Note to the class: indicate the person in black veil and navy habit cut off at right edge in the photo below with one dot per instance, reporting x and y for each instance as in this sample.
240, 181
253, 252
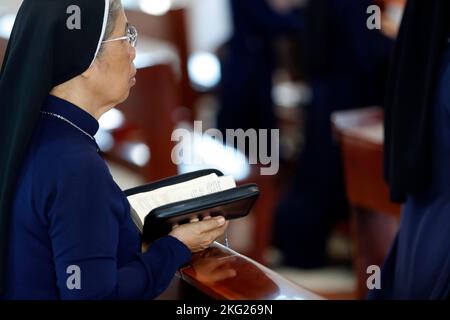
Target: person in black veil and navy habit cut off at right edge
417, 154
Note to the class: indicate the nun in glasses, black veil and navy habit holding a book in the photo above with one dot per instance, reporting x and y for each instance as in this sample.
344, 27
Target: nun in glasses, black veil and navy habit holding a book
59, 206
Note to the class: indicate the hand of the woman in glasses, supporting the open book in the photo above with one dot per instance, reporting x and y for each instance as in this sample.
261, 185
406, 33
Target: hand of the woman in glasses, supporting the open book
198, 235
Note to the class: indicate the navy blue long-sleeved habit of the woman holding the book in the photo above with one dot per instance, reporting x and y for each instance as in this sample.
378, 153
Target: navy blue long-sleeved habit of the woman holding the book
69, 213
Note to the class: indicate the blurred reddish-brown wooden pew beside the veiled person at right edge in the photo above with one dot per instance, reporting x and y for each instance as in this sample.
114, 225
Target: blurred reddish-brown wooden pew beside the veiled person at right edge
375, 220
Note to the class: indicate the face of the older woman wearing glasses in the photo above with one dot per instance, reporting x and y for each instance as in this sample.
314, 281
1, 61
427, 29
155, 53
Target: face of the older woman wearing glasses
115, 70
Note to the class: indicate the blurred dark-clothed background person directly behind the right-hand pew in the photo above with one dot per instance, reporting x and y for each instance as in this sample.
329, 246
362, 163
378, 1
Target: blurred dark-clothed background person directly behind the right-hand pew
346, 66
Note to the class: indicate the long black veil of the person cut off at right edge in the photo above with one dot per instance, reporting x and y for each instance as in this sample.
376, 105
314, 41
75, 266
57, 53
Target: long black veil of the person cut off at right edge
410, 96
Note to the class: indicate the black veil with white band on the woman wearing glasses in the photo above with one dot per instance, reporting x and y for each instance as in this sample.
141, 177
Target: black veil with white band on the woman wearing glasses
52, 42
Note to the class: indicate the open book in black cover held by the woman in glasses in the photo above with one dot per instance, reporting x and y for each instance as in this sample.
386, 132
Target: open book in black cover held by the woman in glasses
157, 206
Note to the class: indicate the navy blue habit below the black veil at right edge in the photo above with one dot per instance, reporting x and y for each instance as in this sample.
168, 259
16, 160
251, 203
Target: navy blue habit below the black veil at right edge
418, 266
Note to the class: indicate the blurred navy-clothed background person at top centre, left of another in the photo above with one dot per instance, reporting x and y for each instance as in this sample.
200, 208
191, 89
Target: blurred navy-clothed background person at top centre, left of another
248, 62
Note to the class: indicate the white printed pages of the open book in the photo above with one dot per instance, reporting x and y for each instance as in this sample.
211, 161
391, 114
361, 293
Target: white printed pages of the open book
145, 202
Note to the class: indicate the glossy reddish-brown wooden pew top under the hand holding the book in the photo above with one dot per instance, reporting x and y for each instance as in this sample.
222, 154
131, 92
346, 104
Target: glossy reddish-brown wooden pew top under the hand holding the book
221, 273
